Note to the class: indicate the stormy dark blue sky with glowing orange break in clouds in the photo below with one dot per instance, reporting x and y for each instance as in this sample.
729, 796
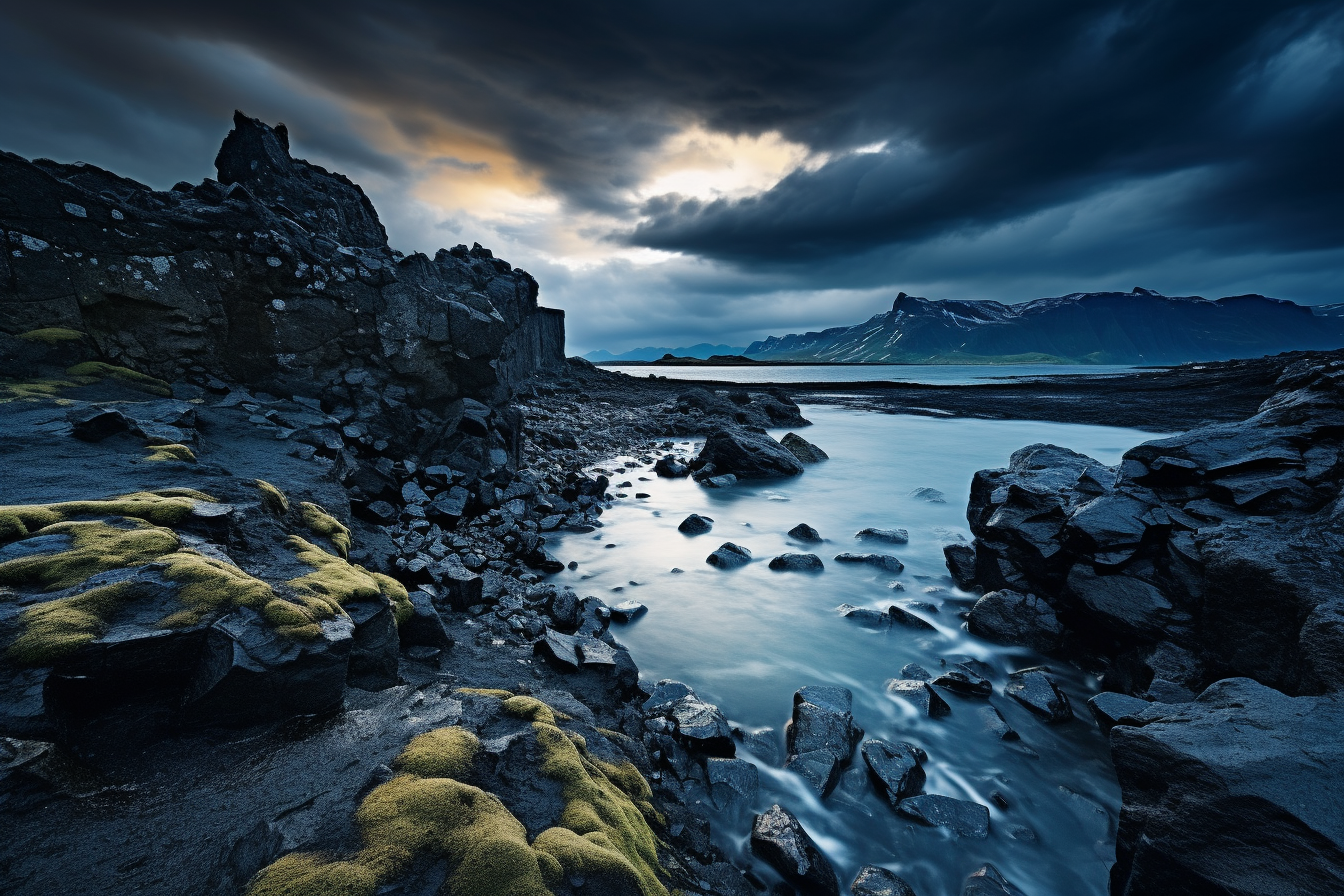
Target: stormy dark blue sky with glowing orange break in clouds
687, 173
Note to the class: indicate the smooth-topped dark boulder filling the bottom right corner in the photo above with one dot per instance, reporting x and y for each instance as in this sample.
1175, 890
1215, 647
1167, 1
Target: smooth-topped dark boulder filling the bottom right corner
1234, 793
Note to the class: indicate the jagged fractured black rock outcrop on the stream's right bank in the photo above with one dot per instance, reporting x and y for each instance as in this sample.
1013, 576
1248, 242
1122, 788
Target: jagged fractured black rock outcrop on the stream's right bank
1217, 553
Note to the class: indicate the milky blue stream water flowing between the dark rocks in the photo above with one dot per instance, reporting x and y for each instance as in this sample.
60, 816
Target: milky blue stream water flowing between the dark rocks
748, 639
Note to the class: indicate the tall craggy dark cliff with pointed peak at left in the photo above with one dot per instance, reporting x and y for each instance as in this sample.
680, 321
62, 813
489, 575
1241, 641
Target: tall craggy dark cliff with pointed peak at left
279, 275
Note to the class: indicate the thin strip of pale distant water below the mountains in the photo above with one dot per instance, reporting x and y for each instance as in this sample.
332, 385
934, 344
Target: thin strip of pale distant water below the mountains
923, 374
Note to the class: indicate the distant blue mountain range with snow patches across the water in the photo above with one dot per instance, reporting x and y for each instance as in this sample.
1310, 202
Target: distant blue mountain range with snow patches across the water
1142, 327
